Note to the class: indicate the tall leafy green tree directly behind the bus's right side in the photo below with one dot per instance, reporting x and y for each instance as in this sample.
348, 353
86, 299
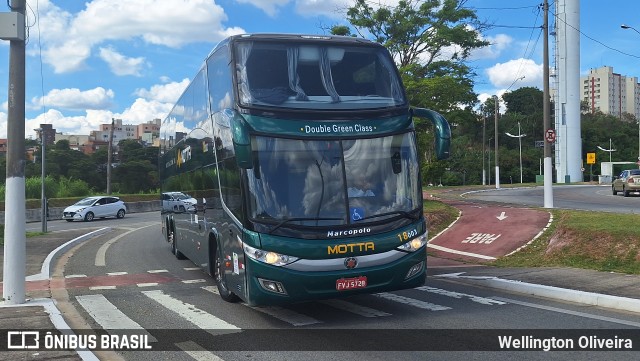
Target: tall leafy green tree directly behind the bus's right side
431, 41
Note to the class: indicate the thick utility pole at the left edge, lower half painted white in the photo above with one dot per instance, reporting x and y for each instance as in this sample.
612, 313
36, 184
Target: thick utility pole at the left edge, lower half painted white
15, 250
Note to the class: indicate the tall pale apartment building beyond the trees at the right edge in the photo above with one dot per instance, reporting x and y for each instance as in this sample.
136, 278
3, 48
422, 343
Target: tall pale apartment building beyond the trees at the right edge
611, 93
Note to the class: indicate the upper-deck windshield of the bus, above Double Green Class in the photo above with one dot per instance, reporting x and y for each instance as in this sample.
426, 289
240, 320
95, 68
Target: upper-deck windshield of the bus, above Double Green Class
313, 76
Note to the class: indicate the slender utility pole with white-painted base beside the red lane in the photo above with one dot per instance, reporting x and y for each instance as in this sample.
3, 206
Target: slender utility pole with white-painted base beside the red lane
548, 169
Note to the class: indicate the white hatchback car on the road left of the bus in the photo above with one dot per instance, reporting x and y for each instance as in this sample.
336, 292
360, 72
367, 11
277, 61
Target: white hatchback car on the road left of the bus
95, 207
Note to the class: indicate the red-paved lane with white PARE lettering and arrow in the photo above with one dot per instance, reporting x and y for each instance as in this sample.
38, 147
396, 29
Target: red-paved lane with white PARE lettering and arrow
485, 232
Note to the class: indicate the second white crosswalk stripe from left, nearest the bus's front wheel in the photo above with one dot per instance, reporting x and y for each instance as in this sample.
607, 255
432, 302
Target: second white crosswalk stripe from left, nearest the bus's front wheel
191, 313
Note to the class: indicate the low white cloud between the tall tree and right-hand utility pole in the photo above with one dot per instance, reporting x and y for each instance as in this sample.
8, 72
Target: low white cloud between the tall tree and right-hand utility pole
503, 75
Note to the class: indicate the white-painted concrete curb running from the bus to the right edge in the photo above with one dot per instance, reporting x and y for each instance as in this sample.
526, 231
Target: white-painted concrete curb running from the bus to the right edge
557, 293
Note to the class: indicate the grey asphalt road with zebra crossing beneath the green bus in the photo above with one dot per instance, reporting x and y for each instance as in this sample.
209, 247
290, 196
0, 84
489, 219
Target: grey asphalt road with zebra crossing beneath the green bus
128, 279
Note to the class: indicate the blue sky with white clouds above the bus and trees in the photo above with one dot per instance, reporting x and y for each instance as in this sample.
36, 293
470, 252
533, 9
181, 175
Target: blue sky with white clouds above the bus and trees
90, 61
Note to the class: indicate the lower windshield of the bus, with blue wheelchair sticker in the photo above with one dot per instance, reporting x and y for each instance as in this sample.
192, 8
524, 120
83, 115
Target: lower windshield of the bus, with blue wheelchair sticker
333, 182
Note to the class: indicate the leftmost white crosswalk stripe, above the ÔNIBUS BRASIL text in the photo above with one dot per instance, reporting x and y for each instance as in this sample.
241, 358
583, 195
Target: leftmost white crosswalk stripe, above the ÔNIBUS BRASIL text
108, 316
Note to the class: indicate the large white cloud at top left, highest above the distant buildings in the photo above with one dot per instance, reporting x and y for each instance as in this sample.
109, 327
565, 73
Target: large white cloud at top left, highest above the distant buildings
70, 38
